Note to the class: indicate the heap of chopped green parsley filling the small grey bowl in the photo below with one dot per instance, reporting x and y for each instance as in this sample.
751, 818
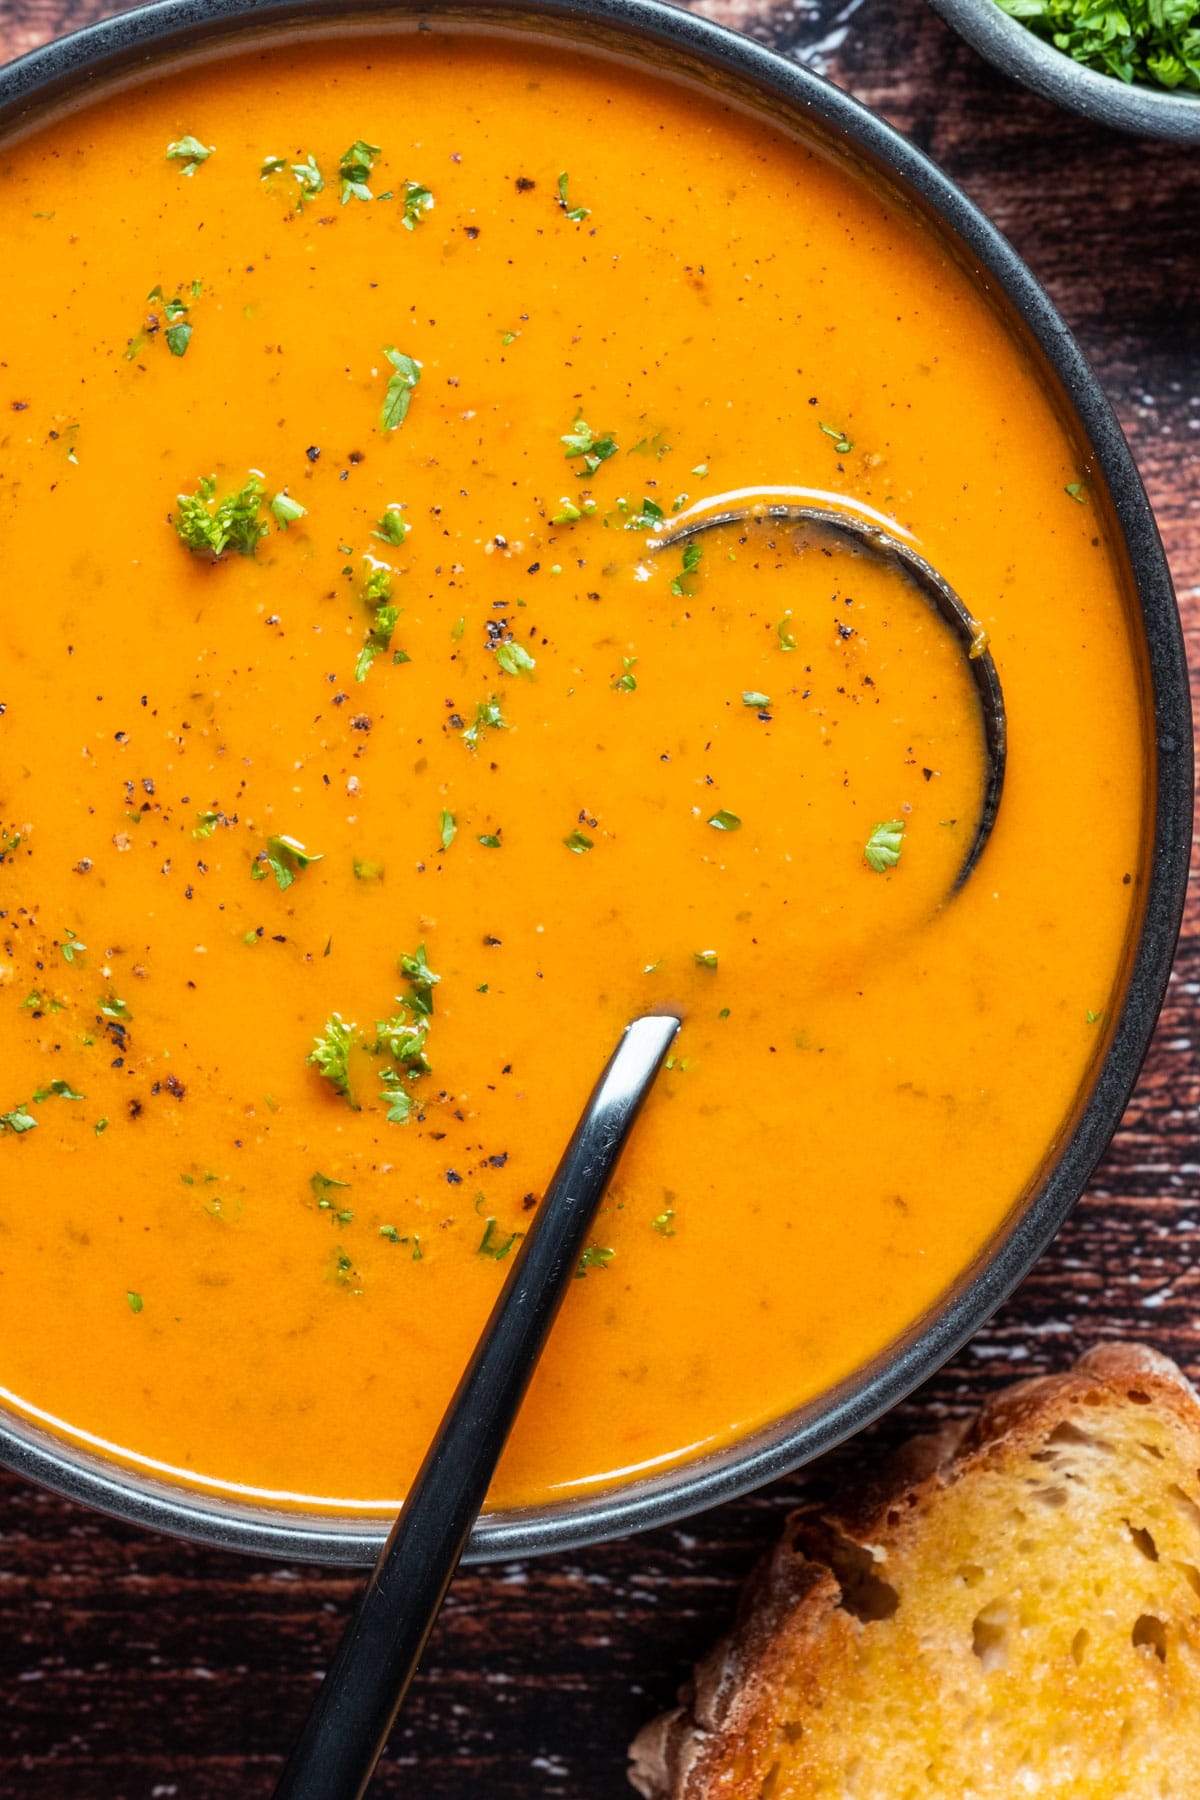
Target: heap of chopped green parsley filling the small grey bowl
1134, 40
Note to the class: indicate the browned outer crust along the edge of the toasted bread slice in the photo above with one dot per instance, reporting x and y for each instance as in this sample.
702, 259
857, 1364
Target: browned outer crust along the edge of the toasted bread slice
793, 1610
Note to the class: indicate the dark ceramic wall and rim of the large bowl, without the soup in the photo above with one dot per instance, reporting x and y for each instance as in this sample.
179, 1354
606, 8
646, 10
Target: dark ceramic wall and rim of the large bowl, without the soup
118, 53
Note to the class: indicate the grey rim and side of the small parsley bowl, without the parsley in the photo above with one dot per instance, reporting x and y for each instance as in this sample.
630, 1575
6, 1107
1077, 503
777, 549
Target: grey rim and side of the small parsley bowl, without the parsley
1034, 62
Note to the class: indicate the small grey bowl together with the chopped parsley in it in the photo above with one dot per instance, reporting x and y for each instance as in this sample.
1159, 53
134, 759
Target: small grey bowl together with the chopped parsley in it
1129, 64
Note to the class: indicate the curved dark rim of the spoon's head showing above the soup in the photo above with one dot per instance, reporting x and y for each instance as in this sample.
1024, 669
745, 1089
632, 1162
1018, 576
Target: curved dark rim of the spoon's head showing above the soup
882, 539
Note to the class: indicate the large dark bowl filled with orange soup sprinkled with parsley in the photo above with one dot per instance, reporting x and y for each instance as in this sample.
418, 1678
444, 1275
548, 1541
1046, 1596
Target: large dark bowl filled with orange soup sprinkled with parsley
366, 766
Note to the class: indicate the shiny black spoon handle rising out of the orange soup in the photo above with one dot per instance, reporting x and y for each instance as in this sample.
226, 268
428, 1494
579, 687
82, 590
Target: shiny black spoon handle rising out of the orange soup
370, 1677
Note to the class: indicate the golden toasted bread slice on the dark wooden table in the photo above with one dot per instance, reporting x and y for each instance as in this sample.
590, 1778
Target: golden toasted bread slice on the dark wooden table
1016, 1614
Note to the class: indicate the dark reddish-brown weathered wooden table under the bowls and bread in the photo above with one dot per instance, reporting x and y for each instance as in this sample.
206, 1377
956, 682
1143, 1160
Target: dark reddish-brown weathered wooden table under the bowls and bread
138, 1668
